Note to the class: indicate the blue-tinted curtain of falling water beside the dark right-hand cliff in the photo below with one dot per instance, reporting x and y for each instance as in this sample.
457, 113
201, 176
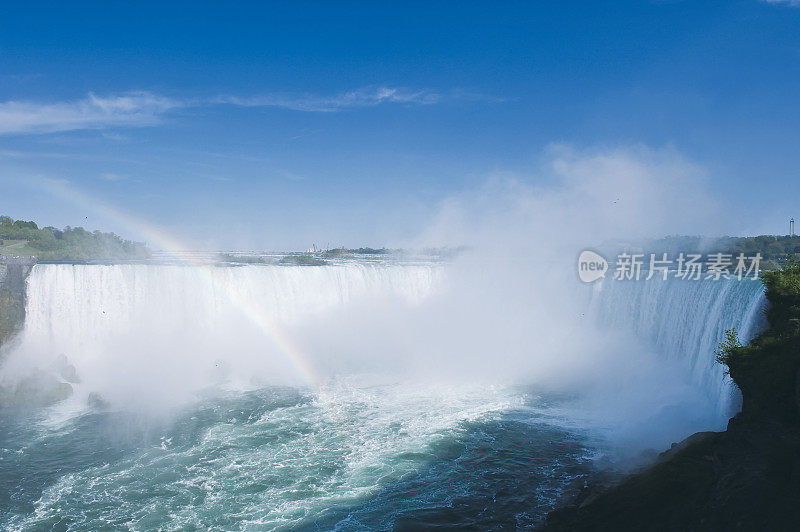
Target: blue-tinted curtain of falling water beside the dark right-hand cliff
686, 321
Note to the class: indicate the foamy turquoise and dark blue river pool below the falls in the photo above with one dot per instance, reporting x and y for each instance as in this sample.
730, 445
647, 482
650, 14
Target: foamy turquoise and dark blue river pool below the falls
278, 458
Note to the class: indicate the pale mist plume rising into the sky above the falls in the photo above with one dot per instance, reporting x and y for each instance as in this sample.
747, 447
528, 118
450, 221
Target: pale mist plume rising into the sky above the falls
580, 198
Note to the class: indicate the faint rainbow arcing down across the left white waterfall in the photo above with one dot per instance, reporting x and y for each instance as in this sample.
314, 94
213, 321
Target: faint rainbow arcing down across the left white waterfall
249, 308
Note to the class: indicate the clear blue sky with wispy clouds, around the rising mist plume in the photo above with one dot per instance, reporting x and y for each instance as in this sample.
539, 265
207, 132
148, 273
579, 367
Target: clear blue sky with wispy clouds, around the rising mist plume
277, 125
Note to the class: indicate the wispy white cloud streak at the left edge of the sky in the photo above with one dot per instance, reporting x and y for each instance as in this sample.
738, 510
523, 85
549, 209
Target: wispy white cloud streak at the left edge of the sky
92, 112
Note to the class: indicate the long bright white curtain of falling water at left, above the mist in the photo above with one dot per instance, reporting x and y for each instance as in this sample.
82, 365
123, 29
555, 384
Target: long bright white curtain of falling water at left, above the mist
69, 304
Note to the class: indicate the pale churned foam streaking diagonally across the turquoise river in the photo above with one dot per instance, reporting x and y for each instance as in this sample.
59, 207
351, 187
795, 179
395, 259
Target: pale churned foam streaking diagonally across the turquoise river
272, 472
